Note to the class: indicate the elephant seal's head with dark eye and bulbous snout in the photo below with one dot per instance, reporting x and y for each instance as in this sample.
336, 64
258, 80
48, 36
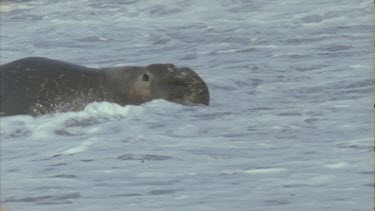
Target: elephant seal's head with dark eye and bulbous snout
162, 81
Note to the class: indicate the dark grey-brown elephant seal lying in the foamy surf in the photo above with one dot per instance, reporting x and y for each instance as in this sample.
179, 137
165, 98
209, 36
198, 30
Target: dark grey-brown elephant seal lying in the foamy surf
37, 85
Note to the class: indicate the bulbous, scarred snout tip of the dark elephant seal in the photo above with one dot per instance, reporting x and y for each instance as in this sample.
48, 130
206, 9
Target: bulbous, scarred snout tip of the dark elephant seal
197, 89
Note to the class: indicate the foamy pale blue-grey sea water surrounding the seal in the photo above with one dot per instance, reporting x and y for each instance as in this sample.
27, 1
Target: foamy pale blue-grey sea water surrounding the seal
290, 125
